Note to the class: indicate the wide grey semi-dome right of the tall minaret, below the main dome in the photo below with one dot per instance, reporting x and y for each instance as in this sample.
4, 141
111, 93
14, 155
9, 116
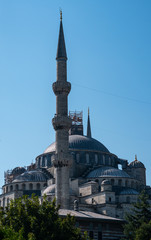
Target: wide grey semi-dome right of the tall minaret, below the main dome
107, 172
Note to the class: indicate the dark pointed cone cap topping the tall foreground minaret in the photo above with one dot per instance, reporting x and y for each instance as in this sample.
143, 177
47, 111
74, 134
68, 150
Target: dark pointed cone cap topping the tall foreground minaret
61, 50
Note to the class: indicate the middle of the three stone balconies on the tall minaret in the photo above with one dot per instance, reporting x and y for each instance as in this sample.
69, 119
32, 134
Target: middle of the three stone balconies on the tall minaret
61, 122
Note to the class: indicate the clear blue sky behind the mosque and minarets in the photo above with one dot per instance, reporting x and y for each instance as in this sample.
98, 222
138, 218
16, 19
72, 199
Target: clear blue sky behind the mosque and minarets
109, 66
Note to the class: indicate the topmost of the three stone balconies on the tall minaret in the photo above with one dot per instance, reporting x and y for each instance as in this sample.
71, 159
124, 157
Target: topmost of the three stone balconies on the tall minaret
60, 87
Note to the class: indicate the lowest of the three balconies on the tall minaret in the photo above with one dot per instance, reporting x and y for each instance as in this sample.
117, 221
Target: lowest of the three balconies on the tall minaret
61, 159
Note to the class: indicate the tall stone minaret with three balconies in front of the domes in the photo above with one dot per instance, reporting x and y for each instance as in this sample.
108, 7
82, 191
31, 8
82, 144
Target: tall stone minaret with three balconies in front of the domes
62, 123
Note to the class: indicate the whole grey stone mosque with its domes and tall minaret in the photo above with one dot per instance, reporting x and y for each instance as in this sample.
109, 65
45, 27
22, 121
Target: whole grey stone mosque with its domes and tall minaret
78, 170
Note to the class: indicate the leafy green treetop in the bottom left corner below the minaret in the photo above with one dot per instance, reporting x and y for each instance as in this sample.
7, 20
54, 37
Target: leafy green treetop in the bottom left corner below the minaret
27, 219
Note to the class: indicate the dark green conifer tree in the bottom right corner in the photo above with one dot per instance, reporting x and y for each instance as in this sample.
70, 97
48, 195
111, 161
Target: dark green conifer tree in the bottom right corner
139, 219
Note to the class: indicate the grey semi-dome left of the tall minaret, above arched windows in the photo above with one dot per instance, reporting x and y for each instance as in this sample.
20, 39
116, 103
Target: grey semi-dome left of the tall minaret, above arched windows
31, 176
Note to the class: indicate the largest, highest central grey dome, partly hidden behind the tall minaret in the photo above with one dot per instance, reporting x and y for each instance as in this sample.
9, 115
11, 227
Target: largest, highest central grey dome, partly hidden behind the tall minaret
79, 142
